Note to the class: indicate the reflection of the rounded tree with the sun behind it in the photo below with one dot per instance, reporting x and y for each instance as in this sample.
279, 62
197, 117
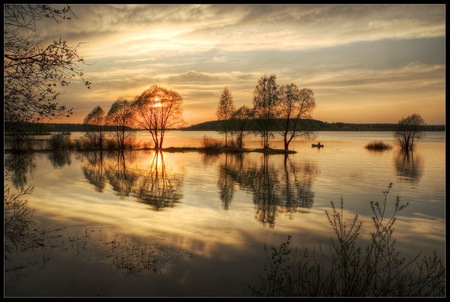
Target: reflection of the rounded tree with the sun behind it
158, 188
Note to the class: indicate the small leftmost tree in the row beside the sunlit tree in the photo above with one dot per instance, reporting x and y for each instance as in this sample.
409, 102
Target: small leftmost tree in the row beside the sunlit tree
93, 124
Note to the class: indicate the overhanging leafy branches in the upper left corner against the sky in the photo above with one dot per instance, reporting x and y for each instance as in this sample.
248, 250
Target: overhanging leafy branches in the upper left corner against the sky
33, 72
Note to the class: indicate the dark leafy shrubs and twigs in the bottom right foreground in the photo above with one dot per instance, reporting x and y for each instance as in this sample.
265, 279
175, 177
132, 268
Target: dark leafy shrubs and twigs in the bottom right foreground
350, 271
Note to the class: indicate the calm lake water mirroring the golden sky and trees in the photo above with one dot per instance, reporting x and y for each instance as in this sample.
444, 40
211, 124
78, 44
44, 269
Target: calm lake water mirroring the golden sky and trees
190, 224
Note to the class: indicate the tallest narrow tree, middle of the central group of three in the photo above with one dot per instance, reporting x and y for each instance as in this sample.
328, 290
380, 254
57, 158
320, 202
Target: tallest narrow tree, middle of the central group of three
265, 102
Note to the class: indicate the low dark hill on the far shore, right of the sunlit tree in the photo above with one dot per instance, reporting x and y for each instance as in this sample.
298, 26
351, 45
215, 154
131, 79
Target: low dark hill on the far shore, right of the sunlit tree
316, 125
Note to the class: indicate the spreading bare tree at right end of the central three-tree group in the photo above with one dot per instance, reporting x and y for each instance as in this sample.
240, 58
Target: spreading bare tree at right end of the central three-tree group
294, 105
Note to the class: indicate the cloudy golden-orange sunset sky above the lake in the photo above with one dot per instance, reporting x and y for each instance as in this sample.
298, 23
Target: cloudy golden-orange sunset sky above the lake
367, 63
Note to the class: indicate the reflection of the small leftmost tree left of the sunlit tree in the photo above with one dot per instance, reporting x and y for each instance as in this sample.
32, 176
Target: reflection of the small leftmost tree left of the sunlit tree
93, 171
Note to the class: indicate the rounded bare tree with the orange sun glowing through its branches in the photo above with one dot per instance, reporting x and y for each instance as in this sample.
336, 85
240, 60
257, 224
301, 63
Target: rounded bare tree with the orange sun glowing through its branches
158, 110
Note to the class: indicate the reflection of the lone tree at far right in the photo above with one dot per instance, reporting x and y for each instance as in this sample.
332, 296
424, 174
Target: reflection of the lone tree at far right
409, 165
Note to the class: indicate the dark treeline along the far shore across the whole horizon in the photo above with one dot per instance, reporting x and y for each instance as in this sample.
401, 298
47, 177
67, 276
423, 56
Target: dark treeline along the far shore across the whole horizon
305, 124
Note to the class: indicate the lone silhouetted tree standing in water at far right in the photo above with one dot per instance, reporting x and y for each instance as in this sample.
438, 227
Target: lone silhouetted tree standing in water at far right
409, 130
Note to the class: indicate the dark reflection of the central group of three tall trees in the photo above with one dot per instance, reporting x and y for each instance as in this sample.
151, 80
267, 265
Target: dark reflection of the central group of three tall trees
276, 189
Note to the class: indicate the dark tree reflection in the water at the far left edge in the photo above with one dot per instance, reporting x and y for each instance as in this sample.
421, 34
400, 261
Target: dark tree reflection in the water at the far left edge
20, 164
